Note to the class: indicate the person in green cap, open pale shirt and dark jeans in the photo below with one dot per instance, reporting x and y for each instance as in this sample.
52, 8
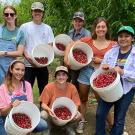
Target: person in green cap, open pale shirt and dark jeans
121, 58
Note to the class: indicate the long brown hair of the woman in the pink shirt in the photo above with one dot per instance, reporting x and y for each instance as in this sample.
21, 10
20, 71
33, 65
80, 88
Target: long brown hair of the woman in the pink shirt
8, 77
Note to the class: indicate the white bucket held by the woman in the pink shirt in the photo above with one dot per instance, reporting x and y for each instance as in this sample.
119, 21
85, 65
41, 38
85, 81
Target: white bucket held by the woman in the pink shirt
27, 108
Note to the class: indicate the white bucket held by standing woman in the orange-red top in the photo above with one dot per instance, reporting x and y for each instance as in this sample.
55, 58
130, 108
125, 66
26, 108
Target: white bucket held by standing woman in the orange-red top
75, 65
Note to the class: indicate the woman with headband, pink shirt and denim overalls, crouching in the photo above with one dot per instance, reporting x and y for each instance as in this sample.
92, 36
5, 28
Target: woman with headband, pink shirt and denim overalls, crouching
12, 91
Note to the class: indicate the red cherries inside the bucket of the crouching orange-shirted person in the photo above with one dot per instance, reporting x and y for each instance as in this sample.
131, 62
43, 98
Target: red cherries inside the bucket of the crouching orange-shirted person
62, 113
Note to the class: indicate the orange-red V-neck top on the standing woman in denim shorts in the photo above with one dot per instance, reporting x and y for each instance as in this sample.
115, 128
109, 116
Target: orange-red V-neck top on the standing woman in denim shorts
96, 52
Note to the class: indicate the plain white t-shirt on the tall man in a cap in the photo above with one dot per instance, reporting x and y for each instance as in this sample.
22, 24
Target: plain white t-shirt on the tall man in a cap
35, 34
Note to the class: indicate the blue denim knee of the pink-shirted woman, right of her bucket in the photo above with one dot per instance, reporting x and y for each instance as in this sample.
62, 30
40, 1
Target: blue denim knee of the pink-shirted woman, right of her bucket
42, 126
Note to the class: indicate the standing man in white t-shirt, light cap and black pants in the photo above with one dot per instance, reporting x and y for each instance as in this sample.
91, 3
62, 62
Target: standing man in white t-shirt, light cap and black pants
36, 32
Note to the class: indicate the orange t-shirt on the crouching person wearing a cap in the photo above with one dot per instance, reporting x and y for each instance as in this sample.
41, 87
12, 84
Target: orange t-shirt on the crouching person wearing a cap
51, 92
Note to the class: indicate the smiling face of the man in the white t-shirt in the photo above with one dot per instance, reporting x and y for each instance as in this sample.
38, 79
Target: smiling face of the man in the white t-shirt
37, 15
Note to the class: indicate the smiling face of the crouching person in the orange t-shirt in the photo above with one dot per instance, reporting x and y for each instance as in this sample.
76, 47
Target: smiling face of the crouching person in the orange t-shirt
61, 77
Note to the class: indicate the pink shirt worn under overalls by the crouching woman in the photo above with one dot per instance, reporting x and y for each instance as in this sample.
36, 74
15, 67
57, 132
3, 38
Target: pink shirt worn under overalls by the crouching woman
5, 97
